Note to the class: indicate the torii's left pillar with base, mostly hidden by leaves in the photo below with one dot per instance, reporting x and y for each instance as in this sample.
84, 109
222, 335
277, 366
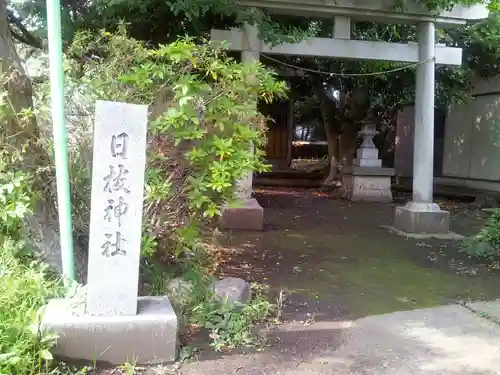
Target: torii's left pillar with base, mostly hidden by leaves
249, 215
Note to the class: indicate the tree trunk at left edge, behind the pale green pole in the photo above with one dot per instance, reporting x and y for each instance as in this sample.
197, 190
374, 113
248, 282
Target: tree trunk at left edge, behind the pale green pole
41, 229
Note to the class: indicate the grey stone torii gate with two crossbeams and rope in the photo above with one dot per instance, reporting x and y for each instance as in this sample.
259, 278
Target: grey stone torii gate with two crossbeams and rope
422, 214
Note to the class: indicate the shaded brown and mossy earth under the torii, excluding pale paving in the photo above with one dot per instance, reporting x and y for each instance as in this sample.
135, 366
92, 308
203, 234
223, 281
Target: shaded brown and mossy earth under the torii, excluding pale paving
332, 259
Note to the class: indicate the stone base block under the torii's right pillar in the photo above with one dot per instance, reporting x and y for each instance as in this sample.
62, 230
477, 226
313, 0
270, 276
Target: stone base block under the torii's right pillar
422, 218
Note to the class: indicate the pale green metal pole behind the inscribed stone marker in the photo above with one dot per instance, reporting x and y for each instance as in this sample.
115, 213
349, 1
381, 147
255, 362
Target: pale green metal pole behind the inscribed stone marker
60, 137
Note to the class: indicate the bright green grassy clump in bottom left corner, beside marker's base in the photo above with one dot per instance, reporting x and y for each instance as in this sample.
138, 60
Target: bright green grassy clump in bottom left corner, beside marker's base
24, 289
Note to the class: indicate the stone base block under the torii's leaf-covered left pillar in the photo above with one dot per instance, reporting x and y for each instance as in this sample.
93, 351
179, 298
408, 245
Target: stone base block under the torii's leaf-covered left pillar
250, 216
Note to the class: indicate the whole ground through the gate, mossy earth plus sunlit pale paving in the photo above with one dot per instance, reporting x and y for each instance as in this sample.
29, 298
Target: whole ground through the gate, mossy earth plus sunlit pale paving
333, 263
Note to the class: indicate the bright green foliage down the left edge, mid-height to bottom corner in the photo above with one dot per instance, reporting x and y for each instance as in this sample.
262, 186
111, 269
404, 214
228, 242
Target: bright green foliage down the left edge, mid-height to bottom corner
24, 283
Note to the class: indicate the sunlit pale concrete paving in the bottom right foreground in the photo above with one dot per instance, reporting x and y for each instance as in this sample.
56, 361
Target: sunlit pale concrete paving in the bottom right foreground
449, 340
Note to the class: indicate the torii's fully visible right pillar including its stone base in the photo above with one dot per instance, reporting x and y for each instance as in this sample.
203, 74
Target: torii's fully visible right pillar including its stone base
422, 215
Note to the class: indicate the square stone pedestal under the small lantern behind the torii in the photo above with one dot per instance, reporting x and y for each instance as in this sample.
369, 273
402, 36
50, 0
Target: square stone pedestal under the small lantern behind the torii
368, 184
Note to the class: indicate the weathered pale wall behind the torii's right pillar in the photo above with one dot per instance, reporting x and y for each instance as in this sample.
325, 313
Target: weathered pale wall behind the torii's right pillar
471, 155
